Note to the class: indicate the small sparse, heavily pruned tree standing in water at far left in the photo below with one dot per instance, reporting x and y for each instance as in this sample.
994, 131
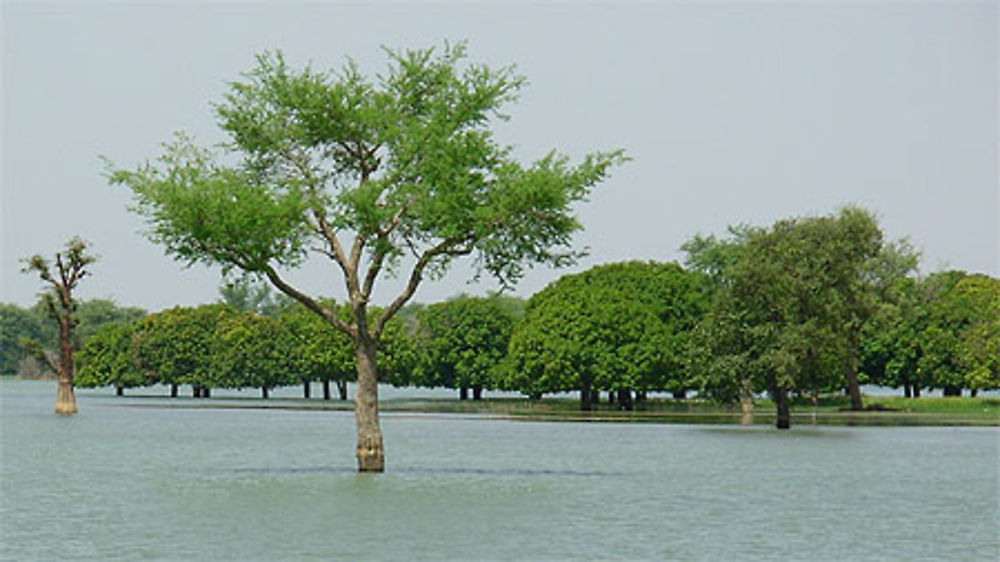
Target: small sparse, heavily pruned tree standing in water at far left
62, 277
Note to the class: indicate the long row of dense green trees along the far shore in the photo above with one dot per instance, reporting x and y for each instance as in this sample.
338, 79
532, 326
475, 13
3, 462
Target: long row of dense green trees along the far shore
807, 306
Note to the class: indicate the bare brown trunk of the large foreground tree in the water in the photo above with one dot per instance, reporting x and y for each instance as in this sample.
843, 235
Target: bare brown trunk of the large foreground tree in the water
370, 451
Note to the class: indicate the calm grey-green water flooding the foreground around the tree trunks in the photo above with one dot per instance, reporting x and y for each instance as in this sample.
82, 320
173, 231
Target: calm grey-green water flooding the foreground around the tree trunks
128, 480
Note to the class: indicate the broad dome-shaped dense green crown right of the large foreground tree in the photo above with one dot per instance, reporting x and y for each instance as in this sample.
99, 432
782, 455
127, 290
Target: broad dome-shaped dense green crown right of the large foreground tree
617, 326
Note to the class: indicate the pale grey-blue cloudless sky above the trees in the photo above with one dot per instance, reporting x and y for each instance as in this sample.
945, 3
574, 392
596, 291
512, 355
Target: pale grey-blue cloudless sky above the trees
732, 112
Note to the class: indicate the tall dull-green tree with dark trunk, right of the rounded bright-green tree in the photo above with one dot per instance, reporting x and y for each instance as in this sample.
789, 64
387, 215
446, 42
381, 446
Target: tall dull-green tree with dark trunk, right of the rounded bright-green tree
790, 303
